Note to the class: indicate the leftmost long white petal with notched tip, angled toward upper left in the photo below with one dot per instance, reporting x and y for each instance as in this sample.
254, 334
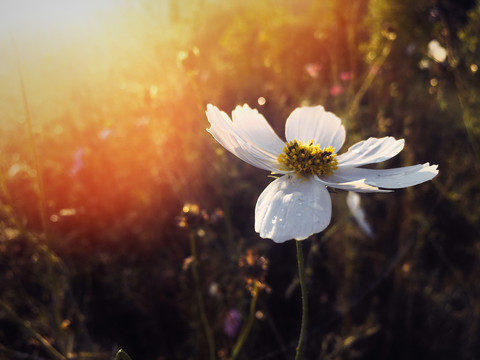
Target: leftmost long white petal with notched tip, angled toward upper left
237, 140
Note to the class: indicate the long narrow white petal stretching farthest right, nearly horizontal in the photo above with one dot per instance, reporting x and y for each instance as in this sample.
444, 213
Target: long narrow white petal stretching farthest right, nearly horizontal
390, 178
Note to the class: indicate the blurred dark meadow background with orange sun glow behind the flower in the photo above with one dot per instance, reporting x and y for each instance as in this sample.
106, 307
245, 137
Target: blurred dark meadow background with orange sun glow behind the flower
107, 176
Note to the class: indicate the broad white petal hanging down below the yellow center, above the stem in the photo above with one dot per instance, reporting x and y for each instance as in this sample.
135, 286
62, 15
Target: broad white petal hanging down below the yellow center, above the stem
292, 208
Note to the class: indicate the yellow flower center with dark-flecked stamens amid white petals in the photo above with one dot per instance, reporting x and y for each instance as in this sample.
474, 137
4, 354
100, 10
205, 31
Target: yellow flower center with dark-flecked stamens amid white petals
308, 159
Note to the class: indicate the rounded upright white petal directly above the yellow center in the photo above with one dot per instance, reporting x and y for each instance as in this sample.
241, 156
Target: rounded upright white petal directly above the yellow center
314, 123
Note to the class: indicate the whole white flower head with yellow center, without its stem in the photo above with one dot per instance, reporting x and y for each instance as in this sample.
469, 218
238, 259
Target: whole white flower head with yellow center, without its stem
297, 204
